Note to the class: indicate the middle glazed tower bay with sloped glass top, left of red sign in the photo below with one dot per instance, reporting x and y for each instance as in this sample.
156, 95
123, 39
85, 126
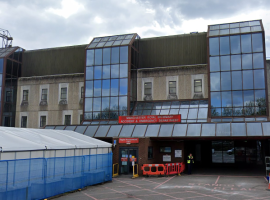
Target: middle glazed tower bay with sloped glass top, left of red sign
107, 77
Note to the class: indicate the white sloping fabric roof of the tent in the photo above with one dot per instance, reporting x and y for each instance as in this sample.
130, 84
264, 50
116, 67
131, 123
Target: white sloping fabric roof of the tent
26, 139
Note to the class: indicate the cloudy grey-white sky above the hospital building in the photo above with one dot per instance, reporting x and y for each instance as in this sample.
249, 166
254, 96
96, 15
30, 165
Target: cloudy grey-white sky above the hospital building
37, 24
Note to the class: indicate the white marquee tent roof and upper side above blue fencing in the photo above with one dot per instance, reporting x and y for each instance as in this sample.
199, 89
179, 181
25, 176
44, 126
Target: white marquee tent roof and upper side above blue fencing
23, 143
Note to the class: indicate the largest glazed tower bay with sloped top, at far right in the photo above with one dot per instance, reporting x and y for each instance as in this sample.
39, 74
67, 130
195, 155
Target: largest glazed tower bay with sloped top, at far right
237, 74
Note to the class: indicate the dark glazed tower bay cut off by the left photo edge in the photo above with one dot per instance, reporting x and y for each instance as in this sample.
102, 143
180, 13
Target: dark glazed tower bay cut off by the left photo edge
10, 70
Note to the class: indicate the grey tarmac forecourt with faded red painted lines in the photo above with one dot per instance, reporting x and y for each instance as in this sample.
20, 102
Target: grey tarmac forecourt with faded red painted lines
195, 186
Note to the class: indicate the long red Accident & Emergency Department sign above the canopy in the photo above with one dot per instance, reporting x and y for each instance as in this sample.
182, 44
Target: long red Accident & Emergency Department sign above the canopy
149, 119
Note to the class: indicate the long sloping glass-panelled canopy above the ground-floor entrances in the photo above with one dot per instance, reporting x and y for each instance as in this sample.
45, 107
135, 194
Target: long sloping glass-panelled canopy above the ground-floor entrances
230, 129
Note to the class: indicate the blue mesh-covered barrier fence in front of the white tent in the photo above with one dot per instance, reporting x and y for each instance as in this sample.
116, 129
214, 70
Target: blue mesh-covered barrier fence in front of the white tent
40, 178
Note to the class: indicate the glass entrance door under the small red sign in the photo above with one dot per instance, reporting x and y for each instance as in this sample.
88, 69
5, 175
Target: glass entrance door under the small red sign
125, 162
